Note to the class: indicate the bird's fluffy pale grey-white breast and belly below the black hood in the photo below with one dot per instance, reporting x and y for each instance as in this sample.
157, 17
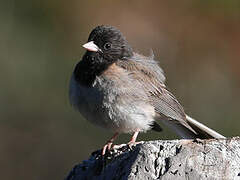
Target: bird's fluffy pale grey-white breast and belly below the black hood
109, 104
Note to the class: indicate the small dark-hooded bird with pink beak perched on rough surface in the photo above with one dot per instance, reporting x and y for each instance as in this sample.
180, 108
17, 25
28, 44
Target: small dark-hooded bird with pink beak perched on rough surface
123, 91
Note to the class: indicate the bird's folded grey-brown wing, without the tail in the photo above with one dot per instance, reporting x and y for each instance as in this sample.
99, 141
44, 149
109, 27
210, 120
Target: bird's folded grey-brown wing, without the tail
147, 72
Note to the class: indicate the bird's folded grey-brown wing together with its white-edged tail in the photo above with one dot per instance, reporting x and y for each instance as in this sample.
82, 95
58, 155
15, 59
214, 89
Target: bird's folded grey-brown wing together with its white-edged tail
151, 78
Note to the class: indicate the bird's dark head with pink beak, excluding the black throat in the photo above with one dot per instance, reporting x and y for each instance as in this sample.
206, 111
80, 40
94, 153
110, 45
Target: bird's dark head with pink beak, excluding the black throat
107, 44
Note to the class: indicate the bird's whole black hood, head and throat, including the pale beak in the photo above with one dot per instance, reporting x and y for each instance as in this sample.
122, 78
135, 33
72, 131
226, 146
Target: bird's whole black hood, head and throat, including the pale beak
105, 45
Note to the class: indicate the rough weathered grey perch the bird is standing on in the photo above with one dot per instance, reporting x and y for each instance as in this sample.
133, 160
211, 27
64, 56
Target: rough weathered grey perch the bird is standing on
176, 159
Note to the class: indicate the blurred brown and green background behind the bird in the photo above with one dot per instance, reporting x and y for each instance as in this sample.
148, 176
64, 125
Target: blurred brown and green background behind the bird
42, 137
